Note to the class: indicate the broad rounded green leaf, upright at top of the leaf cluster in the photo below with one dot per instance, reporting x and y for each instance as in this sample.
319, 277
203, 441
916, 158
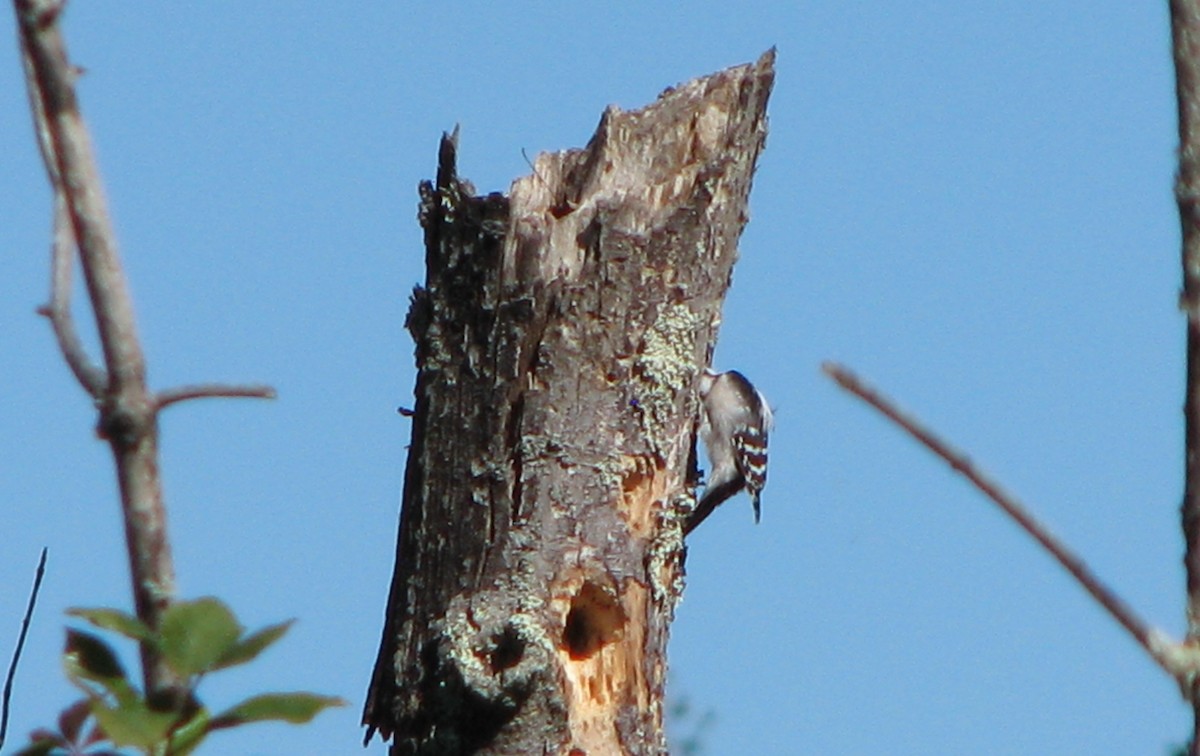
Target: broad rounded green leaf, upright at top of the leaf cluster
195, 635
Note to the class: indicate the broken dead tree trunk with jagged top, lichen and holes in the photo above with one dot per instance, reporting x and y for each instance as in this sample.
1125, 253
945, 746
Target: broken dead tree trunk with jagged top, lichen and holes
560, 337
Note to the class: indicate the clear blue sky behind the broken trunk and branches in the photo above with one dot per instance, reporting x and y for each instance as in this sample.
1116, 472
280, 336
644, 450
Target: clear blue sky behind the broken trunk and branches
968, 202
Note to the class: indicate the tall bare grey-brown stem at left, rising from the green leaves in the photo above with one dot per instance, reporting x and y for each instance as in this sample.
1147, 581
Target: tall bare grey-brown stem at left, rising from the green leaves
128, 411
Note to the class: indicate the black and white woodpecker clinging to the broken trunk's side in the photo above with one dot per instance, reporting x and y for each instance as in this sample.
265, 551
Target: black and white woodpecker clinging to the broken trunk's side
735, 423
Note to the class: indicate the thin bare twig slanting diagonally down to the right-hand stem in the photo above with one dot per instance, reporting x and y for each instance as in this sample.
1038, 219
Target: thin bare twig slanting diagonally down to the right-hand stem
1147, 637
